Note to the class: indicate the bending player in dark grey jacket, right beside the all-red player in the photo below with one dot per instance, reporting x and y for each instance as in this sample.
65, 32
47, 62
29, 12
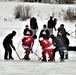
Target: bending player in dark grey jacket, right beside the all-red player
59, 47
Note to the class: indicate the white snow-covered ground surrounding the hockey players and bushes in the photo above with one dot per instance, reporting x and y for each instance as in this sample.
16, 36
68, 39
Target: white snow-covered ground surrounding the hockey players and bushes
33, 67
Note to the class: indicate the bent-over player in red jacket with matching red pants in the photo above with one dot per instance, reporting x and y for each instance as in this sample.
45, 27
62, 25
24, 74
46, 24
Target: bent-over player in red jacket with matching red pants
47, 47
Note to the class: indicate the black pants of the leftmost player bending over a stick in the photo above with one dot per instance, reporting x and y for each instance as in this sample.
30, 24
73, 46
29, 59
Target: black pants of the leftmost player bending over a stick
8, 51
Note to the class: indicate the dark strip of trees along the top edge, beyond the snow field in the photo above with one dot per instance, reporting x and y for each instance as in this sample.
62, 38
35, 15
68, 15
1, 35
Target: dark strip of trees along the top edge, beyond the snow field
47, 1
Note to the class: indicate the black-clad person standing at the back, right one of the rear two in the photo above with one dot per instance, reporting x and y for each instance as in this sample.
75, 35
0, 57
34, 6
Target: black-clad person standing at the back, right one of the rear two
51, 24
